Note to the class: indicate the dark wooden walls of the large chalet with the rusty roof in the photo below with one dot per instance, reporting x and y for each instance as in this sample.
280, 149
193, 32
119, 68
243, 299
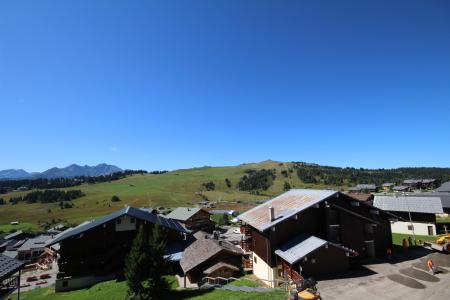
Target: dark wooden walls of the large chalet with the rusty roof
341, 220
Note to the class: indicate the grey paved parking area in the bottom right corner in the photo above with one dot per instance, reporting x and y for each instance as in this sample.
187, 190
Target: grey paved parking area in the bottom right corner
404, 279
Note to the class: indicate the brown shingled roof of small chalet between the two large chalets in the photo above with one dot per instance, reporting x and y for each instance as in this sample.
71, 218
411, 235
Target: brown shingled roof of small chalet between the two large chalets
203, 249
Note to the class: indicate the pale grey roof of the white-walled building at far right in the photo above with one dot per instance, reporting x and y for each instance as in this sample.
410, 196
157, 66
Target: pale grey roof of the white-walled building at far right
431, 205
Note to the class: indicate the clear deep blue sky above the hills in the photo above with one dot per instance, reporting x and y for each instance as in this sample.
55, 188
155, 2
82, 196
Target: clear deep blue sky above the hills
175, 84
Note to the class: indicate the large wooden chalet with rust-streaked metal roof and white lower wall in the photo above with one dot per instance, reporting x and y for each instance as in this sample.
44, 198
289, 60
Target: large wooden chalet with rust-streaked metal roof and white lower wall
309, 232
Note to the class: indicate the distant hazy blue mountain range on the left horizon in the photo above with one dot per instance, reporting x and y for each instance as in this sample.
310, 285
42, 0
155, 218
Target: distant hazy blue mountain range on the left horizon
73, 170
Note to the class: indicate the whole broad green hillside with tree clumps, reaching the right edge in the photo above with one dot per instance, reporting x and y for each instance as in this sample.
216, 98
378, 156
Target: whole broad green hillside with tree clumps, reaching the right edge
190, 186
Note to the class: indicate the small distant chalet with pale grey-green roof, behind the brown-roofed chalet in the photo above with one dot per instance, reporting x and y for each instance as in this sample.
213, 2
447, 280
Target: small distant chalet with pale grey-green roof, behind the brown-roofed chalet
193, 218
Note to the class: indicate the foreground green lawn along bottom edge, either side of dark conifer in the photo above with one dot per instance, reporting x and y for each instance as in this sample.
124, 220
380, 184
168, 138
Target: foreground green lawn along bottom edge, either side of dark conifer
112, 290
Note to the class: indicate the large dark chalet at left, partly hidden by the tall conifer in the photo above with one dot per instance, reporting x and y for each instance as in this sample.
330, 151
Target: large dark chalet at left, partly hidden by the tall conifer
95, 251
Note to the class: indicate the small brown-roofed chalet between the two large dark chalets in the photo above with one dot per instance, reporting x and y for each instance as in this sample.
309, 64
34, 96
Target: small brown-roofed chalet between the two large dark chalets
212, 258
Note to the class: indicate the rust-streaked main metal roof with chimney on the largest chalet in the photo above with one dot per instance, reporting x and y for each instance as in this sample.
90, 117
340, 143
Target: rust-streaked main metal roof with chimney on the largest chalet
285, 206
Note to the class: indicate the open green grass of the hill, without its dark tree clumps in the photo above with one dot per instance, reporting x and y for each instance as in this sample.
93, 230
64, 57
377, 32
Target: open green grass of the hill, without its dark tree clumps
172, 189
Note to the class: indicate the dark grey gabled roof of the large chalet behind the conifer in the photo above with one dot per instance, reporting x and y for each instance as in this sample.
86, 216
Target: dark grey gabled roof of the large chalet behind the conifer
130, 211
